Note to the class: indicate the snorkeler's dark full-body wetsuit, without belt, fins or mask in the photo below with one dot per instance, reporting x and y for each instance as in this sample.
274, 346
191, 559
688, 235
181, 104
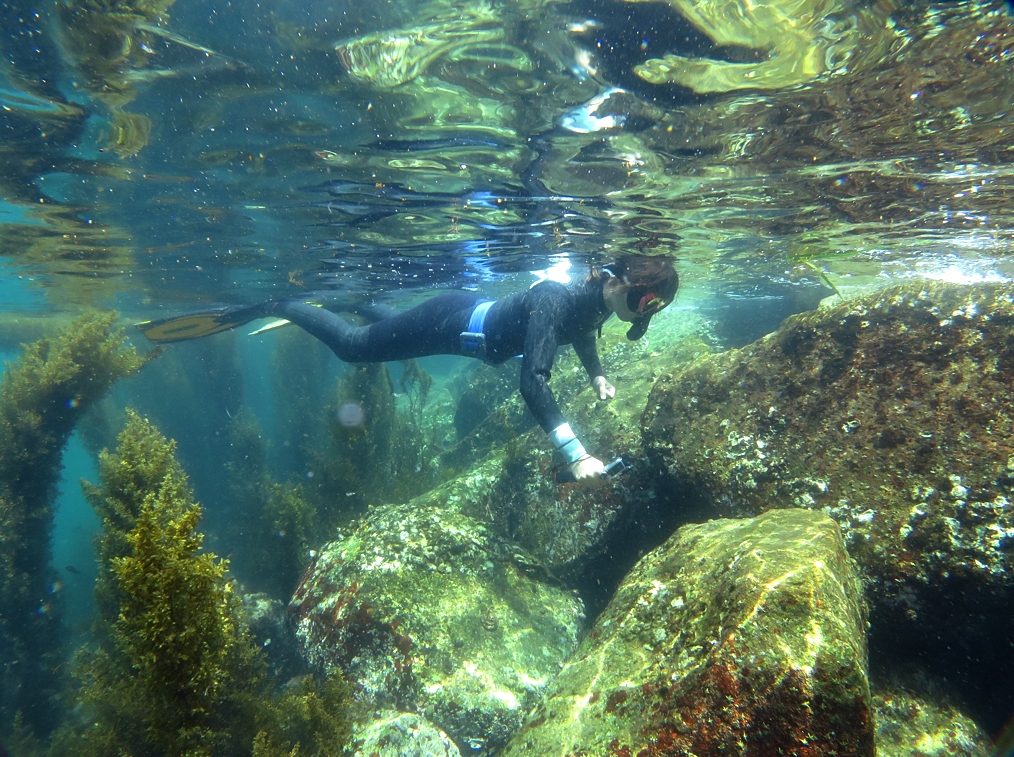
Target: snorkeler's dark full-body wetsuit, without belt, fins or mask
533, 324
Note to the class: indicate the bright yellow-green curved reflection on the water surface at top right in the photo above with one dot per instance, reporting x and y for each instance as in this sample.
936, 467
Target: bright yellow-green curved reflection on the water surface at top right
792, 42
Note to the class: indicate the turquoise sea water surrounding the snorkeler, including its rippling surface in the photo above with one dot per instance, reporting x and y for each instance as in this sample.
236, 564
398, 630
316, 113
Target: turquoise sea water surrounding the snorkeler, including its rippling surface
158, 159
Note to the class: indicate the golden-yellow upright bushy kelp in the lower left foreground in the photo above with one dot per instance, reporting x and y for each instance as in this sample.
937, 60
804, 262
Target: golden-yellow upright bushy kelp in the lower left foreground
175, 671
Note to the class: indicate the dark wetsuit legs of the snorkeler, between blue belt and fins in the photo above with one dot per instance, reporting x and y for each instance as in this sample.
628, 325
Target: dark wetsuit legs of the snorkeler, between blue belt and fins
433, 328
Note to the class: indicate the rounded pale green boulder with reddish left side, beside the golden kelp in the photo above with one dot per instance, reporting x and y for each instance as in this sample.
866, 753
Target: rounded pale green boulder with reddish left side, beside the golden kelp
424, 611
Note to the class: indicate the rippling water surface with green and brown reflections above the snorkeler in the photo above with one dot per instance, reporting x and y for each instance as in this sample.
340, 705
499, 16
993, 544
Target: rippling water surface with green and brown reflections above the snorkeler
158, 156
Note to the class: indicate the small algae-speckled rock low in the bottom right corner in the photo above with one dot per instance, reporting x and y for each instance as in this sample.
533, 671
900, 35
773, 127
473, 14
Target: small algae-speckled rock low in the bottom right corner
909, 725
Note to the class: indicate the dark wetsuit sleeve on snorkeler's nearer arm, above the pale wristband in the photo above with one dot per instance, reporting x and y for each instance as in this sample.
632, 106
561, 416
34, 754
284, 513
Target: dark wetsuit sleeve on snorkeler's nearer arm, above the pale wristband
541, 344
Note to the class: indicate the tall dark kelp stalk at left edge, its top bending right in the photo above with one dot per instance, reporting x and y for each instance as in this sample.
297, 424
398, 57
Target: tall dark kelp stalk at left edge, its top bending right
43, 397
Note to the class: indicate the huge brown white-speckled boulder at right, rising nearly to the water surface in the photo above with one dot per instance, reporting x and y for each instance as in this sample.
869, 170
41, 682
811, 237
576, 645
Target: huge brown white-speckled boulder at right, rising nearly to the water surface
894, 414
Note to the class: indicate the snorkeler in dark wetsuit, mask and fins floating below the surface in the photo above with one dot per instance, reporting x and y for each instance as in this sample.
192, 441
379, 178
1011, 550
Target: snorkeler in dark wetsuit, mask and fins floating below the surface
532, 324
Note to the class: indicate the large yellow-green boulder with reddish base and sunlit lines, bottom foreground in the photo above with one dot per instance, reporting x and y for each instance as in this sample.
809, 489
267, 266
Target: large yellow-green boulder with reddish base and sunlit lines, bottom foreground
735, 638
